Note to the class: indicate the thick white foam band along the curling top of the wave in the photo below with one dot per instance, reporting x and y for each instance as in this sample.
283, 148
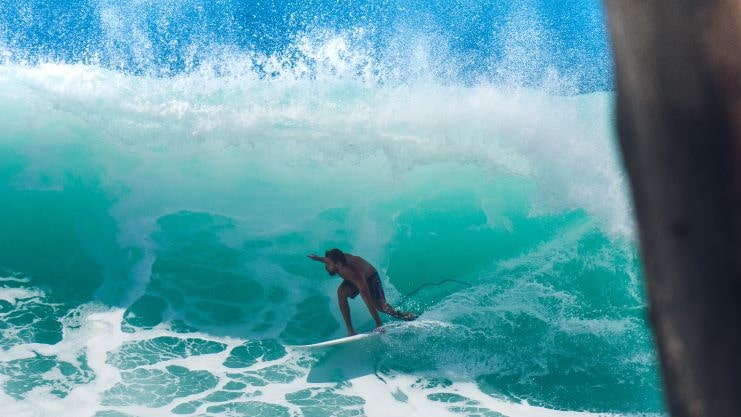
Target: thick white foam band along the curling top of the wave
229, 126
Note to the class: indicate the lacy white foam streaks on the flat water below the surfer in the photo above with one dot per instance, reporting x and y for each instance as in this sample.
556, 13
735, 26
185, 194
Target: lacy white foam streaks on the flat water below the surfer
386, 395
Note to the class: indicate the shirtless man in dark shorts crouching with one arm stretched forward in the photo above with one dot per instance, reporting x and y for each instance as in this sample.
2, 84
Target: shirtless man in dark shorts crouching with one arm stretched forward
358, 277
